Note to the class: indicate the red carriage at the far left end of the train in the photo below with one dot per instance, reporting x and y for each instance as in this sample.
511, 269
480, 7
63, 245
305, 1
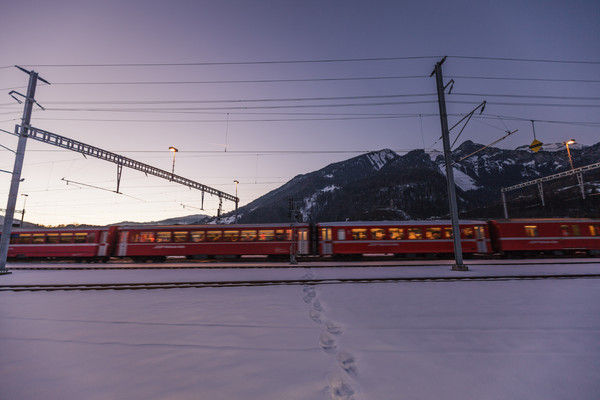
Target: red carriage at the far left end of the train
90, 244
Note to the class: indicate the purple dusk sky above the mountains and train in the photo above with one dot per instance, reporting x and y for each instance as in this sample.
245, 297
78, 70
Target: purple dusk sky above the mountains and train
262, 91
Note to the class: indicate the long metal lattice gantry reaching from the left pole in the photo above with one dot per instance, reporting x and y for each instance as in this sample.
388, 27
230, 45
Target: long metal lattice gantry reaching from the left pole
121, 161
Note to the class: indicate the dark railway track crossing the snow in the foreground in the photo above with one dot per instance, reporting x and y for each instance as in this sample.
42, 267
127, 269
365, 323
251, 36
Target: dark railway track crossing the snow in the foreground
292, 282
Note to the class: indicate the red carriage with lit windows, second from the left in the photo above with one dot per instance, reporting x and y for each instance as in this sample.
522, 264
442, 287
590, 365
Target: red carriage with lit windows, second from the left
206, 241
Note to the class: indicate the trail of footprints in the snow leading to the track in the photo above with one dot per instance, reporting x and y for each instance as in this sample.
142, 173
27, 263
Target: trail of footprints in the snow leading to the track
341, 385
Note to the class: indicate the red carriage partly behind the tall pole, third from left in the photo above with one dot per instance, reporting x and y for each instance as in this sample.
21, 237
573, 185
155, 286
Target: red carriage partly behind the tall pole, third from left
401, 237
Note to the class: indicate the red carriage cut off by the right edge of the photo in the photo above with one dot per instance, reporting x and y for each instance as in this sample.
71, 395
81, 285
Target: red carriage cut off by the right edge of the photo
552, 236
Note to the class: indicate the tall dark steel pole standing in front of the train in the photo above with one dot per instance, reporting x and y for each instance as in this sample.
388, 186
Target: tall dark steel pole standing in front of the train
458, 257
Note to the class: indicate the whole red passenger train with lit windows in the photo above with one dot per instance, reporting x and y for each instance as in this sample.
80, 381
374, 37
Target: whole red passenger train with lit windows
328, 239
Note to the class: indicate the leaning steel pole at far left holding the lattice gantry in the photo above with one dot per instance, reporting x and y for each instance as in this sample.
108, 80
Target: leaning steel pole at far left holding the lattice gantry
16, 174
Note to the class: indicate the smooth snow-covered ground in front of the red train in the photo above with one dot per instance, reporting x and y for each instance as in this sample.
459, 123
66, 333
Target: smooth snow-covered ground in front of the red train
508, 339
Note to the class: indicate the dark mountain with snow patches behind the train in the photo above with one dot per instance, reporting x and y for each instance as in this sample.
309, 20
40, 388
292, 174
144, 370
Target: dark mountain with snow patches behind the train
383, 185
